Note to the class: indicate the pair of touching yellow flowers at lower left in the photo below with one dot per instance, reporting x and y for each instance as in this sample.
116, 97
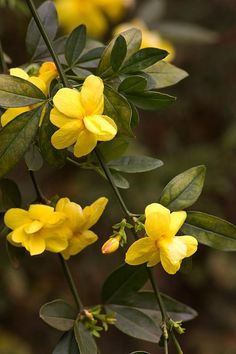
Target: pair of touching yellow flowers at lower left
63, 229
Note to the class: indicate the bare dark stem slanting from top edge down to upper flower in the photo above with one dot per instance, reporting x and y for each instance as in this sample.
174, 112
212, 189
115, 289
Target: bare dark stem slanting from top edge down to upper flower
47, 41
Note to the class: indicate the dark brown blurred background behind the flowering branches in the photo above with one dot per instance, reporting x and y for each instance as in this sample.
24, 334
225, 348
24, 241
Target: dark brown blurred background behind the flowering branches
200, 128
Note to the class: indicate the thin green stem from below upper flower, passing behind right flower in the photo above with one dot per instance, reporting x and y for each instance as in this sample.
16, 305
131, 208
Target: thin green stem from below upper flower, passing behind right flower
128, 215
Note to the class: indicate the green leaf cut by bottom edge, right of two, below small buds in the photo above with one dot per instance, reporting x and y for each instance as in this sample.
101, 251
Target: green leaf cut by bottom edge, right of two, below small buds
84, 338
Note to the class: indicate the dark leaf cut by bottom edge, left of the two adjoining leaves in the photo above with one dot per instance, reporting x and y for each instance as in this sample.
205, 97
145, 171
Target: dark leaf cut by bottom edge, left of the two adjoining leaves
67, 344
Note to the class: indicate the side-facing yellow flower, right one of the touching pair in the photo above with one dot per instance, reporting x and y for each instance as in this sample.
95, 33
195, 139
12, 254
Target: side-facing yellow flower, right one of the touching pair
79, 222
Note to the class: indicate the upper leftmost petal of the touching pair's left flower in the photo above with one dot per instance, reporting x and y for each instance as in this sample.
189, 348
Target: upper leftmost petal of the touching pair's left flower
16, 217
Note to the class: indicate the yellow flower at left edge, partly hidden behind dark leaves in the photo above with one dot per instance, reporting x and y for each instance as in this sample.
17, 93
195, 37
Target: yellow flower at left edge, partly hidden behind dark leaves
47, 73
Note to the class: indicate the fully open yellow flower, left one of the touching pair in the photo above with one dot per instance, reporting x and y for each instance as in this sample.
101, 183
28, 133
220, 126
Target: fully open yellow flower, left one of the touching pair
38, 229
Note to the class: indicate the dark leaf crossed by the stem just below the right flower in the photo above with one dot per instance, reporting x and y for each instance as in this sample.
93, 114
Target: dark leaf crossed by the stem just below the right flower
146, 301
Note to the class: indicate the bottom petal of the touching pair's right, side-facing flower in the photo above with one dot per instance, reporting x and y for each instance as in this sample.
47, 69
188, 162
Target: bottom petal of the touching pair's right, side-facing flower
78, 242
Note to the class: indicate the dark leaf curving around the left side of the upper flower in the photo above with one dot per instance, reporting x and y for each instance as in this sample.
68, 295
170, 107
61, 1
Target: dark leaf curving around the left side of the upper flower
55, 158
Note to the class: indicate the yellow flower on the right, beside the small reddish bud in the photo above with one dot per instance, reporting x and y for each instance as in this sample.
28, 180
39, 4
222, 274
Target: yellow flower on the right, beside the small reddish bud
161, 244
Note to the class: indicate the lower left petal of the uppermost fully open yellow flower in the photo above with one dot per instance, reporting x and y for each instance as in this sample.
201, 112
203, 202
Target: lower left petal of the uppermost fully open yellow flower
66, 135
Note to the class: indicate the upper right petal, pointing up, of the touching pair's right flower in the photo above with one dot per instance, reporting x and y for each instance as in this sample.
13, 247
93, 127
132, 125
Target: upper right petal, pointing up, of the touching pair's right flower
93, 212
